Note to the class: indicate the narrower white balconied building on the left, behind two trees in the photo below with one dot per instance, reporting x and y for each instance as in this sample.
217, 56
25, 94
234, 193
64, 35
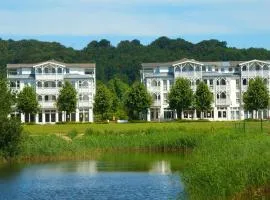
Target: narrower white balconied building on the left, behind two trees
47, 78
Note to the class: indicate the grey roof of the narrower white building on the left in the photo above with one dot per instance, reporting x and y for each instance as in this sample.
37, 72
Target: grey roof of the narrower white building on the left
79, 65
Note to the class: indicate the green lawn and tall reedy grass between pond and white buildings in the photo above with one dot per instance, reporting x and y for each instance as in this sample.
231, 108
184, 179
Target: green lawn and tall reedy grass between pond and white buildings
227, 159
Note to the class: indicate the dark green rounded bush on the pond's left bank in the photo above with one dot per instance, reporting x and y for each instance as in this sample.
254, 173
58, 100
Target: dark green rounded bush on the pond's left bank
10, 137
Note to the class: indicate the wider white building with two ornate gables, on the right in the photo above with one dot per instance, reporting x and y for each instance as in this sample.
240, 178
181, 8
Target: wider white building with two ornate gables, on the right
226, 80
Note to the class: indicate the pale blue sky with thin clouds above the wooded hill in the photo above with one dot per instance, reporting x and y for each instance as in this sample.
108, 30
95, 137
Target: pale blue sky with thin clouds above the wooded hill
74, 23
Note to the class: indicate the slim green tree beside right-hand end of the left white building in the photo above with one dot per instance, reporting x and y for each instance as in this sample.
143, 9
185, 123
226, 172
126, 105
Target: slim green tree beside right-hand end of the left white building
103, 101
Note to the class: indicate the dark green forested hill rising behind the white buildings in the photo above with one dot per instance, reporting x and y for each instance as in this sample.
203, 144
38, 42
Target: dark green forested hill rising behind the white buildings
124, 60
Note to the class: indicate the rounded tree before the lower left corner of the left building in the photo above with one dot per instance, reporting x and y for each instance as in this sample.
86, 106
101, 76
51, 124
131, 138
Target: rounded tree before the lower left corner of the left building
27, 101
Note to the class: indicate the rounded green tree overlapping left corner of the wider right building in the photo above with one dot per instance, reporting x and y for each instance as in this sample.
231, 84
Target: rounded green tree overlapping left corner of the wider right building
137, 100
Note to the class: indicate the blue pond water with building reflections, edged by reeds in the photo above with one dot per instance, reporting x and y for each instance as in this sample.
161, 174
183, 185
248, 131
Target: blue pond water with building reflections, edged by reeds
111, 176
